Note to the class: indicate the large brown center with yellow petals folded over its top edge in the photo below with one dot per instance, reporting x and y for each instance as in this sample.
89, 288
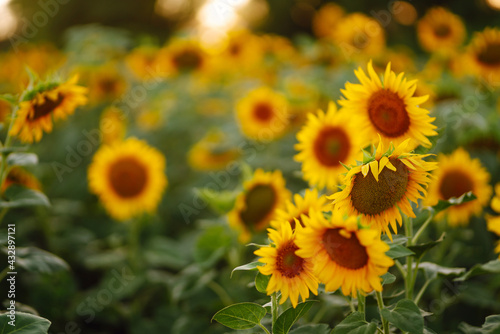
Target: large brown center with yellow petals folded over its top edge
371, 197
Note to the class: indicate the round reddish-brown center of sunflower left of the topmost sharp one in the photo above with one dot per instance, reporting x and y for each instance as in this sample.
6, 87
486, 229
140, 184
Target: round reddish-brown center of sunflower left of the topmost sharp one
331, 146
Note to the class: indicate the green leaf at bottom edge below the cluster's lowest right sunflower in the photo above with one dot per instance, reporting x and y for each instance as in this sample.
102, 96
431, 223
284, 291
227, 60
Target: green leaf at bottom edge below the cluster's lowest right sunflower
405, 316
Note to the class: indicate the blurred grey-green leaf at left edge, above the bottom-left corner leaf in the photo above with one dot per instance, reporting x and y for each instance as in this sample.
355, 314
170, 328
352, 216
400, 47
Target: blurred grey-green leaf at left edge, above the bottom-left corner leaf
37, 260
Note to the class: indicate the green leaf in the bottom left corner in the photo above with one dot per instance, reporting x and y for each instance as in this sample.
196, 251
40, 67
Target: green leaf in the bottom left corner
25, 324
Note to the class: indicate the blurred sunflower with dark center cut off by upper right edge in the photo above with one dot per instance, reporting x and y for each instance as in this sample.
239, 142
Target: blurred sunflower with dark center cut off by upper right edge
483, 55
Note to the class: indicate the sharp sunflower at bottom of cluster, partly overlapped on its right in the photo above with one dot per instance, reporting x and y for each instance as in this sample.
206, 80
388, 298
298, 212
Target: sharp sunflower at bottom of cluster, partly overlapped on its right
290, 273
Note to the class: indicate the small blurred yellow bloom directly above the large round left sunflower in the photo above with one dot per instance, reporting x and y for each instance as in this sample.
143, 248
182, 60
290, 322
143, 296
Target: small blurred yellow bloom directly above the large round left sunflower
112, 125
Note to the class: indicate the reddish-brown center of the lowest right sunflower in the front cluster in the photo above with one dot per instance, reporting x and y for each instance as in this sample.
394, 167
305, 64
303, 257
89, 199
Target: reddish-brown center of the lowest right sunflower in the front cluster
346, 252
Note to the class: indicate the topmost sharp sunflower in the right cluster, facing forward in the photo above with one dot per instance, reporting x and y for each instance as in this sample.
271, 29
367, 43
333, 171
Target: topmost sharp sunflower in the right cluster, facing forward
388, 108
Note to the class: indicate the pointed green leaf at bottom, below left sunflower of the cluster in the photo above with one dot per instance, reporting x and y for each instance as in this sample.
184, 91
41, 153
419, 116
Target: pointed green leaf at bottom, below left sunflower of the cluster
240, 316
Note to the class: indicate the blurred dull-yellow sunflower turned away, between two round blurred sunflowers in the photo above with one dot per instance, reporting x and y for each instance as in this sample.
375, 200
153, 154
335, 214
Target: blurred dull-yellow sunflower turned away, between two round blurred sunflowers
211, 153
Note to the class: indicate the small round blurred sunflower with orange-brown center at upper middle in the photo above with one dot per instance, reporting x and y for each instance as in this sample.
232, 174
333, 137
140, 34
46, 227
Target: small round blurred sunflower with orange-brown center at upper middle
263, 114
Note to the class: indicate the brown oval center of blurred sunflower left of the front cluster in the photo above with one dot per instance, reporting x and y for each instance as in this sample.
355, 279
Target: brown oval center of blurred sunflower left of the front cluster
259, 202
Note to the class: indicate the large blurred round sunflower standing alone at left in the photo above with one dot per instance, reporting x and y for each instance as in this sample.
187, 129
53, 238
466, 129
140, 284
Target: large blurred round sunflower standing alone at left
128, 177
